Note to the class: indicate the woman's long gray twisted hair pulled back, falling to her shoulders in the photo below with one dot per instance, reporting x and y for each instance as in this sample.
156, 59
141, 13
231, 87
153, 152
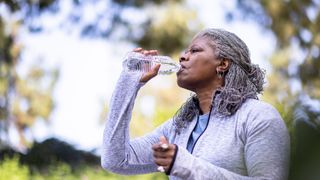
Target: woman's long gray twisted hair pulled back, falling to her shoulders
243, 79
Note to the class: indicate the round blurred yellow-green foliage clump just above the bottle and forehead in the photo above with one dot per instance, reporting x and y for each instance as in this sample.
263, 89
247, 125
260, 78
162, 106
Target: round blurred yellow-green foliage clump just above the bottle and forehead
170, 29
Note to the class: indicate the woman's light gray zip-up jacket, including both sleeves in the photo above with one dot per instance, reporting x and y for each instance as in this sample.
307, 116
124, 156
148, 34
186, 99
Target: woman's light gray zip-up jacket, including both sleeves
251, 144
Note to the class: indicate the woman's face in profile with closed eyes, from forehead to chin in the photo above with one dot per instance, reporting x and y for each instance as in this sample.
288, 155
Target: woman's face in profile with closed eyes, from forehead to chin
198, 65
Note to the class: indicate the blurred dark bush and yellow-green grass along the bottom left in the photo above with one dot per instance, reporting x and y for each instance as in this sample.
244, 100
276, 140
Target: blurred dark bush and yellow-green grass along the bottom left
54, 160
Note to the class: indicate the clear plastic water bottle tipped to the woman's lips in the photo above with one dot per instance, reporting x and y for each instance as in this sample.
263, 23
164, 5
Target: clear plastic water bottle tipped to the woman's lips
139, 62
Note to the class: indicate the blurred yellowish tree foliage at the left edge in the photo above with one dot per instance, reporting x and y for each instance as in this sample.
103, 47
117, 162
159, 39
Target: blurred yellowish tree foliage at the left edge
24, 98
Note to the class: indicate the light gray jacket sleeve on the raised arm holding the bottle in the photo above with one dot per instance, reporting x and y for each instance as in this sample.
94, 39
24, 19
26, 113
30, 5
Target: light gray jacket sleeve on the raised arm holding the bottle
119, 154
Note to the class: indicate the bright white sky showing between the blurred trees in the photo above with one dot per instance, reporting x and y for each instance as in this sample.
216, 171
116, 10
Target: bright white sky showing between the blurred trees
89, 69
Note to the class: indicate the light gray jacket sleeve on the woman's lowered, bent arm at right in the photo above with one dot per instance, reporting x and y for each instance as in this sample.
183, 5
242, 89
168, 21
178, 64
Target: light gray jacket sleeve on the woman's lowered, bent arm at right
266, 153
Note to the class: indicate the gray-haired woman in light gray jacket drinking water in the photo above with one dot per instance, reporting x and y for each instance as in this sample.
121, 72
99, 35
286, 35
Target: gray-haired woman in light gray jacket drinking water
222, 132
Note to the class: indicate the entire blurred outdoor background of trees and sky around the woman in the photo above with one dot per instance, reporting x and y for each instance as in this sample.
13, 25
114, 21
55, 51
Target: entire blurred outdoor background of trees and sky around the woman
60, 60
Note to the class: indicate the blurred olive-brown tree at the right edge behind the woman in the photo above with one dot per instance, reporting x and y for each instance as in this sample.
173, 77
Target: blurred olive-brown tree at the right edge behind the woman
296, 25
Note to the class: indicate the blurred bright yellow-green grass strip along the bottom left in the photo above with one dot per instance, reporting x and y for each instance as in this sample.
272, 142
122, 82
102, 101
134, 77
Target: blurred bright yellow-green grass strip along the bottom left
11, 169
